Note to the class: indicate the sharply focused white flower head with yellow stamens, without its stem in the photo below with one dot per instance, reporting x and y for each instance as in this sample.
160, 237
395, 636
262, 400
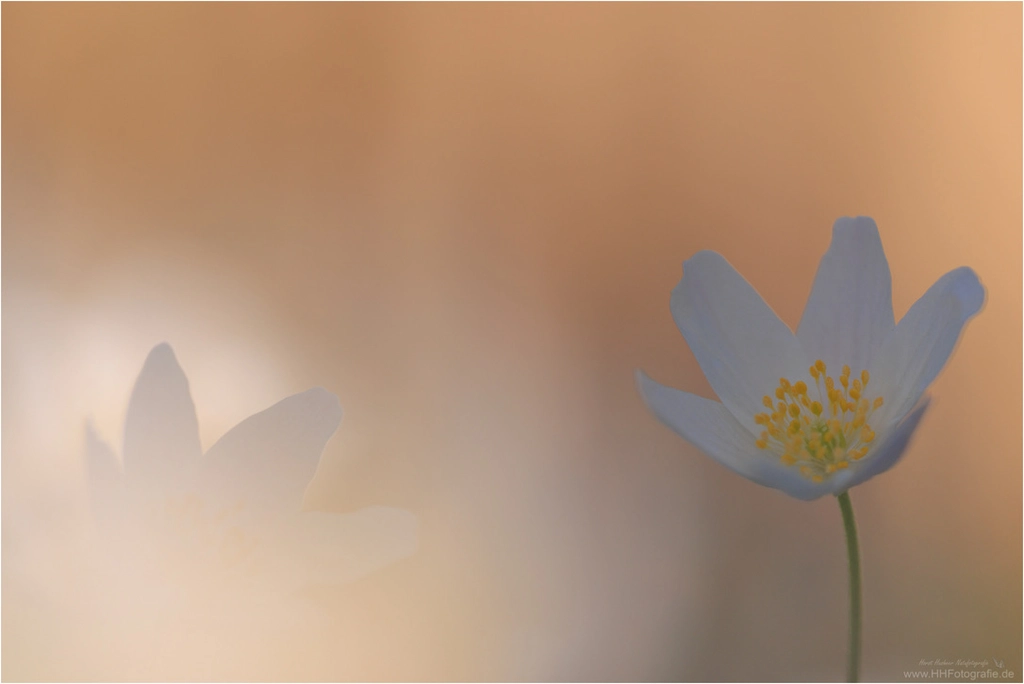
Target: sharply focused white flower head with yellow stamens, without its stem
831, 407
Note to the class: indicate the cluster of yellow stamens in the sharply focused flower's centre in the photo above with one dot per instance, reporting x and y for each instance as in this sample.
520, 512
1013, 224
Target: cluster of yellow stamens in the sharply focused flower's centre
823, 436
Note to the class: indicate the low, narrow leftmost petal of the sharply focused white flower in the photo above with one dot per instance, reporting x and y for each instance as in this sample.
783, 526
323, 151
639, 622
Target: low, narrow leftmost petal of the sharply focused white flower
712, 429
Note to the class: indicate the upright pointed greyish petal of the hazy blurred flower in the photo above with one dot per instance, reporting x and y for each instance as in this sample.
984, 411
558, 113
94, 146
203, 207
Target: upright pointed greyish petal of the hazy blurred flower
161, 432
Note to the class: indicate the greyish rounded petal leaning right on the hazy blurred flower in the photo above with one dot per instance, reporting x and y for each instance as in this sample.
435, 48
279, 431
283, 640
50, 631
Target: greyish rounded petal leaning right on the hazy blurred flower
268, 460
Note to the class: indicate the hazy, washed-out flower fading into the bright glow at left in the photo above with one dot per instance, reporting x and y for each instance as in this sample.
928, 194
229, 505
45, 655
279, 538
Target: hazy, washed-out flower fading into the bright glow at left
232, 520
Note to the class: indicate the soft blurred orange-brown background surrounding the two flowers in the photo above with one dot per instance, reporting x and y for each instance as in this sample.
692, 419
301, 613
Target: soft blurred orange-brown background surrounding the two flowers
466, 221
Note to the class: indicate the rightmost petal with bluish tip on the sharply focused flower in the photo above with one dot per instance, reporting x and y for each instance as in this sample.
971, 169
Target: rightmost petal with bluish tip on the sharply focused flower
918, 349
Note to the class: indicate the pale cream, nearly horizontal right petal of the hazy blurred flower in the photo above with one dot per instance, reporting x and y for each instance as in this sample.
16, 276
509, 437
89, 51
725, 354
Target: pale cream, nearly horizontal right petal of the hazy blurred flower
334, 548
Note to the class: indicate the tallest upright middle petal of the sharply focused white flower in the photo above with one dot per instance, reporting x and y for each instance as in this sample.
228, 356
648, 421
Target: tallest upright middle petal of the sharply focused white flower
850, 311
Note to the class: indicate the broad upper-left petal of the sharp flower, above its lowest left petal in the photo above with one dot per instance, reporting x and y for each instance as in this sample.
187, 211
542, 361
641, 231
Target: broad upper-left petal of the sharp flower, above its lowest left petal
742, 347
